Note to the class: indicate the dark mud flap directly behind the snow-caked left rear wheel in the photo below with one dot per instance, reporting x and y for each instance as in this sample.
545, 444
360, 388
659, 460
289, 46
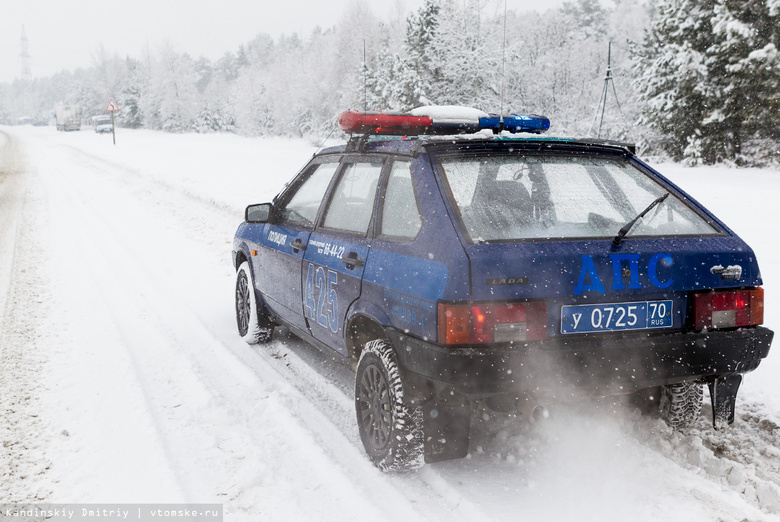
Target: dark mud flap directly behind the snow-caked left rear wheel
446, 429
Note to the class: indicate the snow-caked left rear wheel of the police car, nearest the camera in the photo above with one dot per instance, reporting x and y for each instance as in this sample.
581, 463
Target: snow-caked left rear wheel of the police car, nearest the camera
391, 430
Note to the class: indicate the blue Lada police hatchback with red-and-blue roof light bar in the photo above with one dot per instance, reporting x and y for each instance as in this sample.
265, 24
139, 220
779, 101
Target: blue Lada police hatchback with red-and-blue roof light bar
451, 259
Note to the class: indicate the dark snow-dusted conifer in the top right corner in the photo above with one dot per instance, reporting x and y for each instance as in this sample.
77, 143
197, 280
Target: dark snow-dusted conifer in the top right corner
709, 77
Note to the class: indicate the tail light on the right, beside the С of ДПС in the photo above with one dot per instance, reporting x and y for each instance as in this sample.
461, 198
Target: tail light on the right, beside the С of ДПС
728, 308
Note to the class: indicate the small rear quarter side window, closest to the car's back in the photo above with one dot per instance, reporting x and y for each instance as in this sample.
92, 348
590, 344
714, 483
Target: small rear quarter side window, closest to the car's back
400, 213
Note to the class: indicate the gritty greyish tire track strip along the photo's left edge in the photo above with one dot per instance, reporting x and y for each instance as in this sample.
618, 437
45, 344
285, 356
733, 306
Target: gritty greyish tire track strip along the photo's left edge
24, 432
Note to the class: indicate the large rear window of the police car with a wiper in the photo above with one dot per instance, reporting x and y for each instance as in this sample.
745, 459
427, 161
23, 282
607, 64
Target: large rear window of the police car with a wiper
517, 196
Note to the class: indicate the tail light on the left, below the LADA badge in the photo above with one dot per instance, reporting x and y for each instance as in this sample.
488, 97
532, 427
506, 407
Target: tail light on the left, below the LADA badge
492, 323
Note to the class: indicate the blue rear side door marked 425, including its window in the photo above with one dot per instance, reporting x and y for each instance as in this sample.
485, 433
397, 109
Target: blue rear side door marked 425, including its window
338, 249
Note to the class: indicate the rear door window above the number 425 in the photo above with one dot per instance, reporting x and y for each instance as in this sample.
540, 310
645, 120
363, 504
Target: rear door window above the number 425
353, 198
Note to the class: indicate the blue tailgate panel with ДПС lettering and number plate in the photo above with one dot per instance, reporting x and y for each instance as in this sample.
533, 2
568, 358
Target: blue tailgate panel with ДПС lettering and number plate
592, 286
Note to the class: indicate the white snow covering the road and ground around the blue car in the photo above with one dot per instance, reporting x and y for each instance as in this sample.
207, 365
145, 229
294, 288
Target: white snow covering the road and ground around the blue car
123, 379
